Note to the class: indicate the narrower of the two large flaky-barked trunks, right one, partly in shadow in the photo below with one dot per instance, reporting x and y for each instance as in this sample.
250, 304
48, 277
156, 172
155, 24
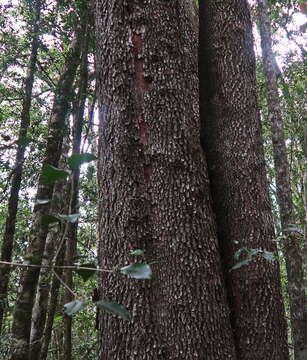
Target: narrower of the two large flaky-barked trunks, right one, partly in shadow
232, 143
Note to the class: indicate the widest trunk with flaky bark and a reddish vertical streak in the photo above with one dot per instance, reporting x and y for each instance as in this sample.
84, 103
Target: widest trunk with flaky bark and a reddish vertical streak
154, 189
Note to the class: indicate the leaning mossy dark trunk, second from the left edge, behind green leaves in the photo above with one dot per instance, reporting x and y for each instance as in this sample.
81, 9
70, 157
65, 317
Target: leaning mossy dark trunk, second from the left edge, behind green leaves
37, 239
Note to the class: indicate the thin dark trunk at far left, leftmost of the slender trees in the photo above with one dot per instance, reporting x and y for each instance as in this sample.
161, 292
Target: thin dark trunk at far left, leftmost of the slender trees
10, 223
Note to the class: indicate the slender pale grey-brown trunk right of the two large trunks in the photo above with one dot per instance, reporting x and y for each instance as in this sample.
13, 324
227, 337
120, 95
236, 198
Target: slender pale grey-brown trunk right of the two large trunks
292, 252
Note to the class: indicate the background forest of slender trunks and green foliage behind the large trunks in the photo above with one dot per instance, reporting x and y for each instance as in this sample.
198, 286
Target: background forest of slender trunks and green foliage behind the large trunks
49, 110
